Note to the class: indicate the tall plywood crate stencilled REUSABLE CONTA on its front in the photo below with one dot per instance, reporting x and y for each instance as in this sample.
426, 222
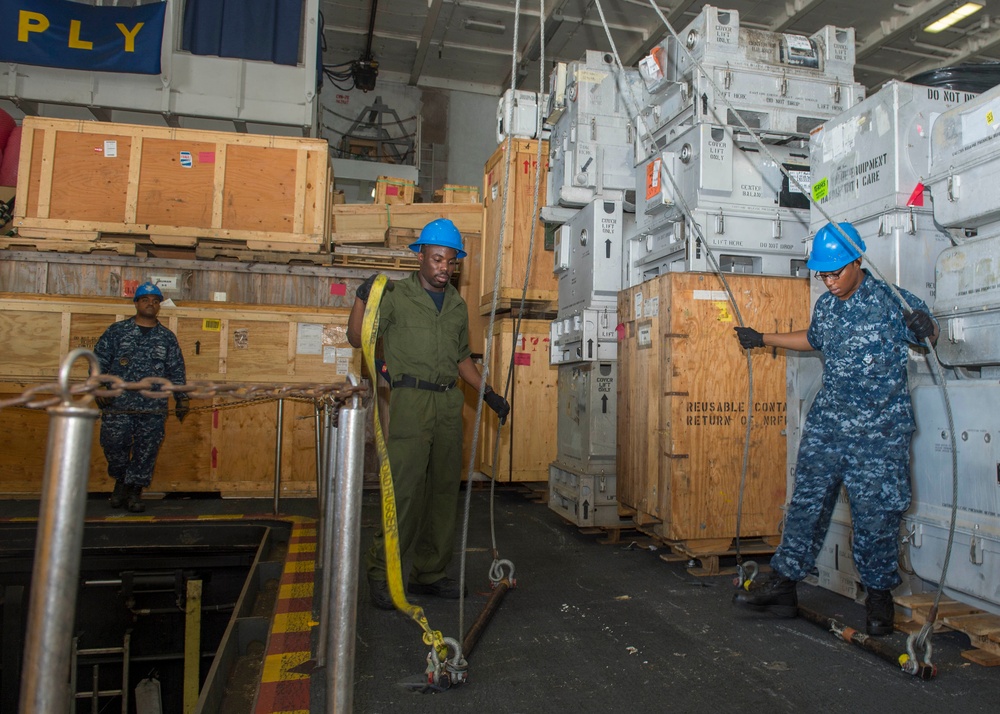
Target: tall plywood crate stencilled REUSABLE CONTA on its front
682, 405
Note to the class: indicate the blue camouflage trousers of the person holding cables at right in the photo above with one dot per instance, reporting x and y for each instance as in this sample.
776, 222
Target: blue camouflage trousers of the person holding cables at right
875, 470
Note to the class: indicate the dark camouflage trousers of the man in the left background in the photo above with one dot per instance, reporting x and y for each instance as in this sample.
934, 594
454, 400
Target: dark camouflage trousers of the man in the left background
131, 443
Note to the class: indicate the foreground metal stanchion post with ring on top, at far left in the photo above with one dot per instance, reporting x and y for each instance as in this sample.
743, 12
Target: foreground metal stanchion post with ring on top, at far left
56, 570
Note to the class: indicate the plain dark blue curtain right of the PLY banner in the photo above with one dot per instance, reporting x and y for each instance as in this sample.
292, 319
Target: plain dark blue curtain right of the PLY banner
266, 30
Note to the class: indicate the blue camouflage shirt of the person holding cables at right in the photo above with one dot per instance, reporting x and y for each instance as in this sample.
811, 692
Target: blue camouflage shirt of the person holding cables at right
864, 342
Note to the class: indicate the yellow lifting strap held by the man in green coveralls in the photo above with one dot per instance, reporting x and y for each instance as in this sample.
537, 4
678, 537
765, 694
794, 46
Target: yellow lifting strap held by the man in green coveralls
390, 527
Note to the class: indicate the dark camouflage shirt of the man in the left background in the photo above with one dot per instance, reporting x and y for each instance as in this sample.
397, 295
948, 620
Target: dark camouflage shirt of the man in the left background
128, 351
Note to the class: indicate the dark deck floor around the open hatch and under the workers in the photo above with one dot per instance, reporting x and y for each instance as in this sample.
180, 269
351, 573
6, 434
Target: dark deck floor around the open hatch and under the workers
597, 627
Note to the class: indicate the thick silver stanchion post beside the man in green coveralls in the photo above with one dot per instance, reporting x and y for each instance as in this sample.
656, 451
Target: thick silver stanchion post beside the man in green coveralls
346, 553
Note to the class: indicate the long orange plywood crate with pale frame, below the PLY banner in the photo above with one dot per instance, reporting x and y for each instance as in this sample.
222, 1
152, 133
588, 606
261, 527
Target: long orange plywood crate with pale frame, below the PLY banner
78, 179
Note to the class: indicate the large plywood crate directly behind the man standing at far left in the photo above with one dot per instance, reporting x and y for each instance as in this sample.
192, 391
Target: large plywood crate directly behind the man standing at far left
225, 444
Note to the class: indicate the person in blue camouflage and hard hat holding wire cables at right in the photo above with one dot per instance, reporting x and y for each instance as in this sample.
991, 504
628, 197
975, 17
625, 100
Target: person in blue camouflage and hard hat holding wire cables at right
857, 433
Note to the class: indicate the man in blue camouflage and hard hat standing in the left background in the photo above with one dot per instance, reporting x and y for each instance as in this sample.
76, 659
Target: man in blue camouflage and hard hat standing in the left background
132, 426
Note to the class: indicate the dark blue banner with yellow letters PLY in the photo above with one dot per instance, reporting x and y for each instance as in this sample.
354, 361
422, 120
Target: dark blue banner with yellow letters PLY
59, 33
